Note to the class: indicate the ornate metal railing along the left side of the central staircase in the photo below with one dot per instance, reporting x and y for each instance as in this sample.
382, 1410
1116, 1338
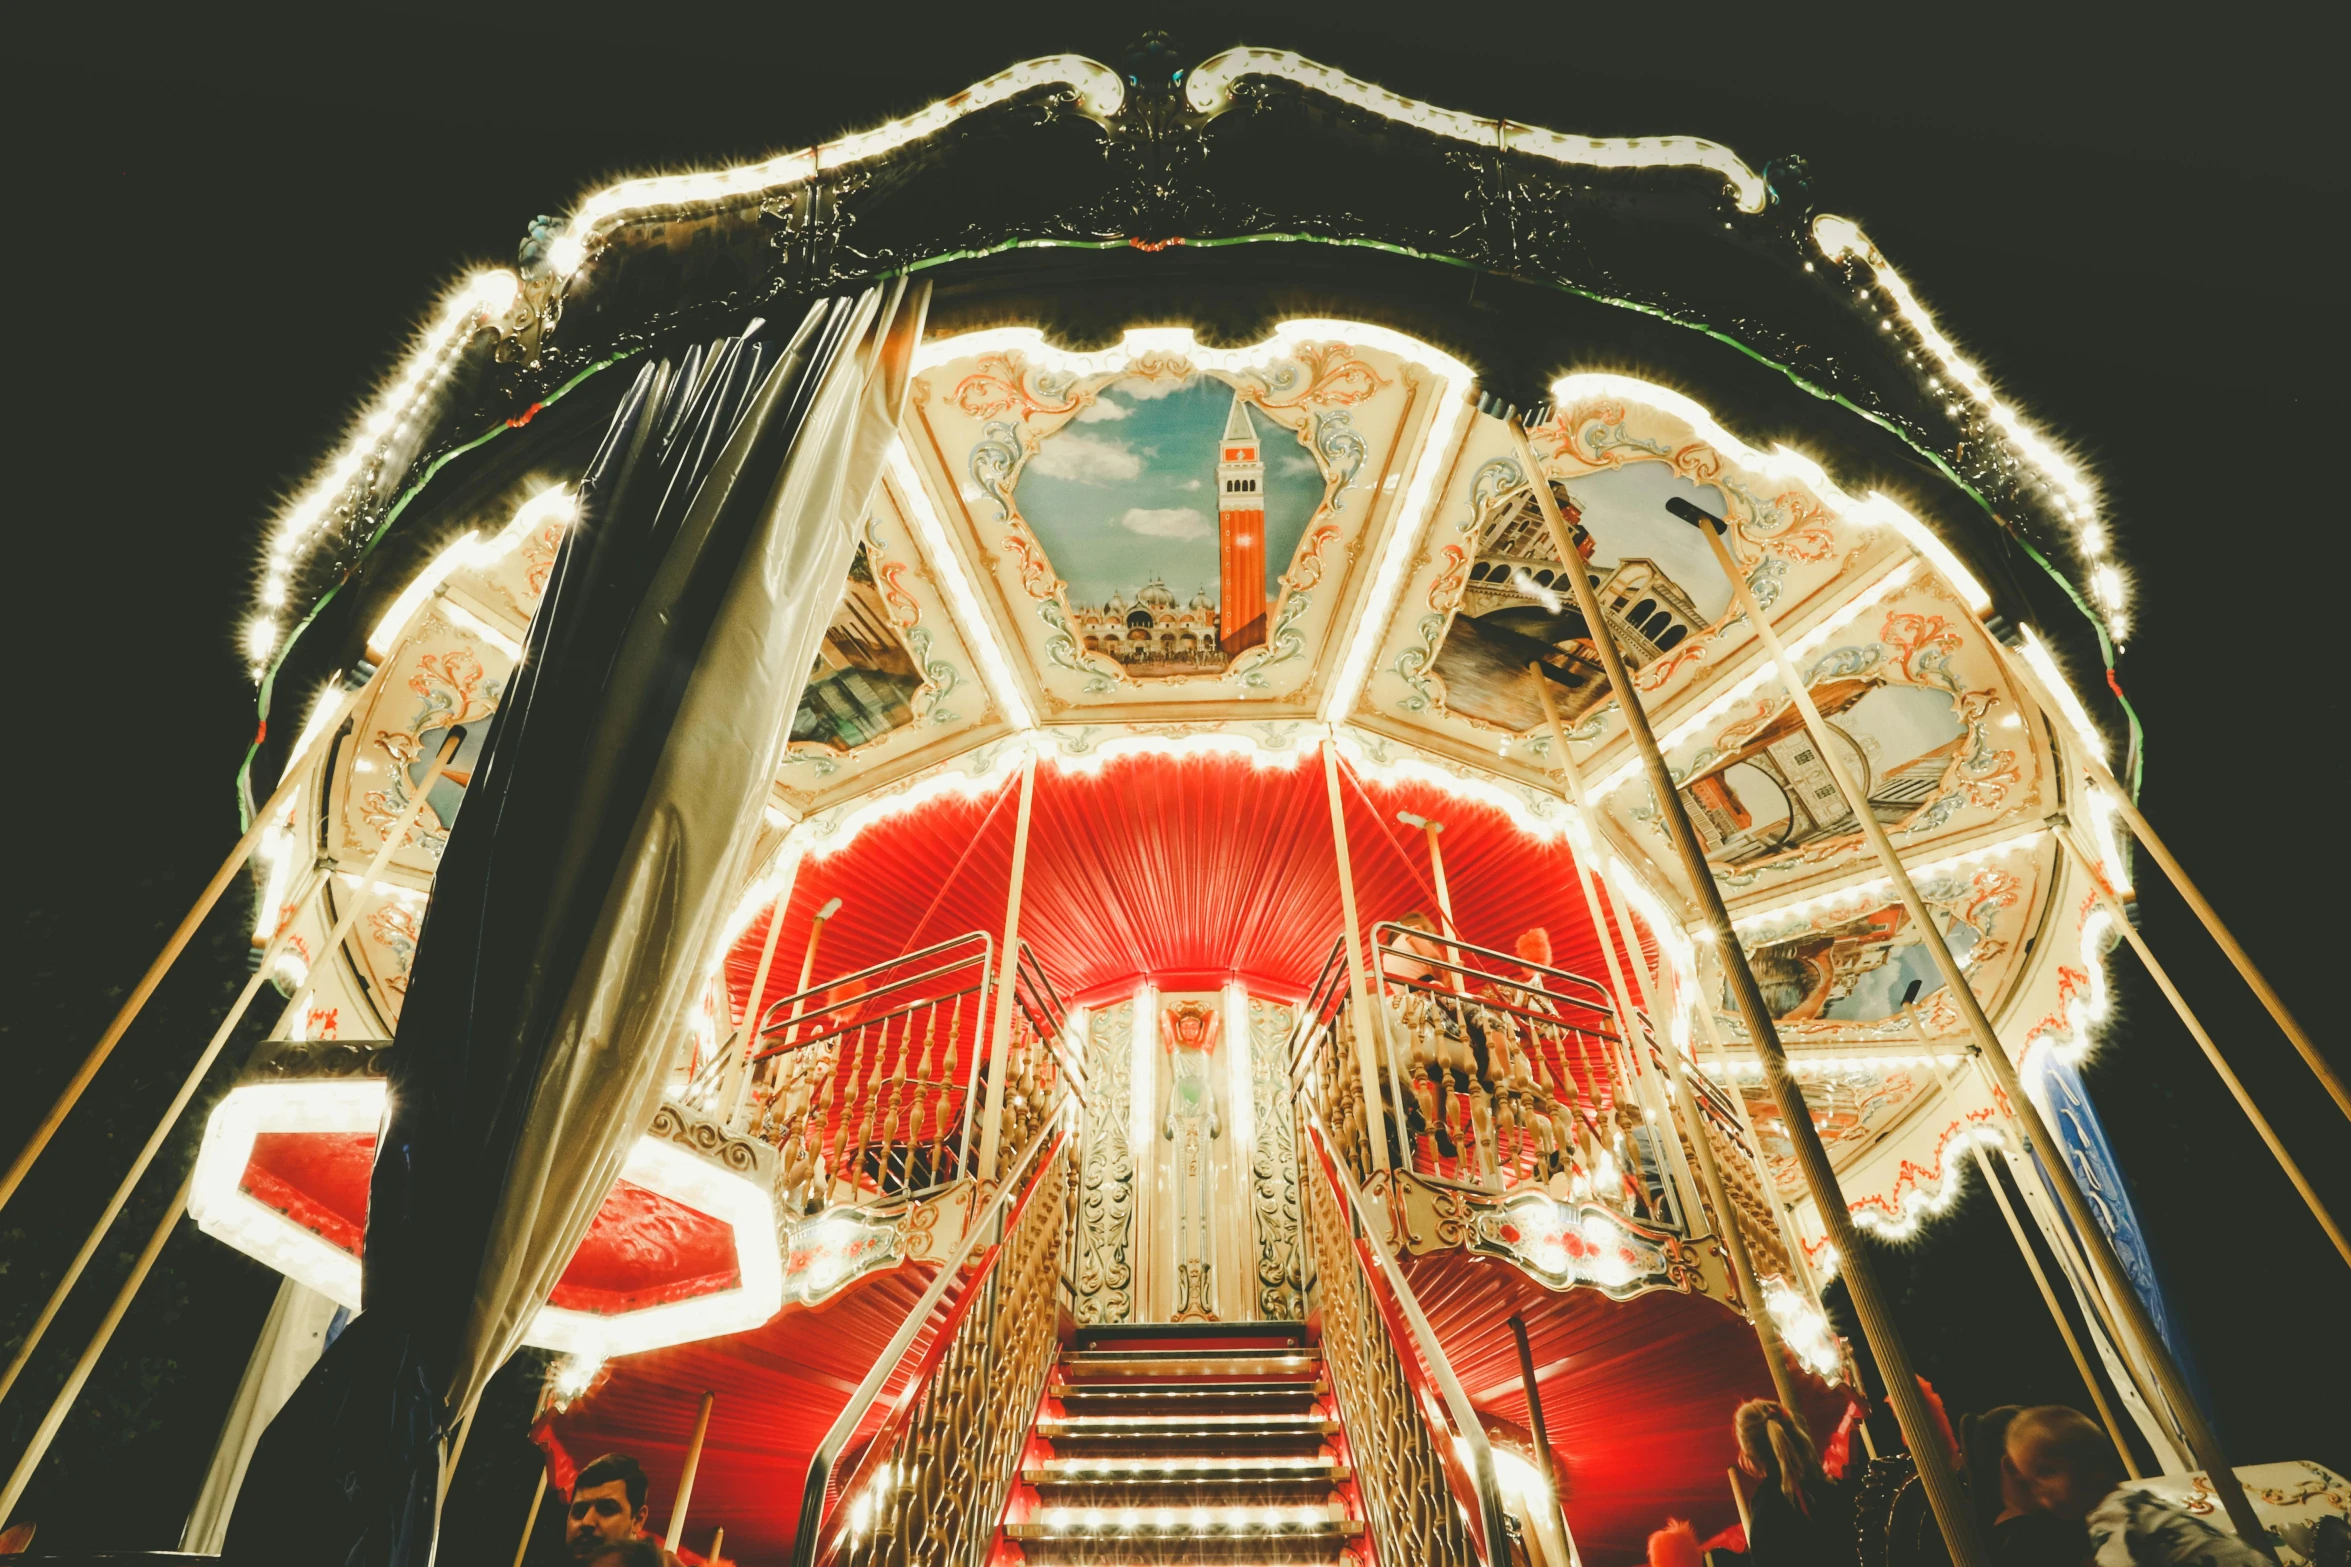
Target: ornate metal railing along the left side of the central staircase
937, 1472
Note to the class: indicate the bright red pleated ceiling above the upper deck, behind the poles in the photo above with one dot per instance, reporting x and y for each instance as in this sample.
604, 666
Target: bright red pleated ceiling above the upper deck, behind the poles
1179, 870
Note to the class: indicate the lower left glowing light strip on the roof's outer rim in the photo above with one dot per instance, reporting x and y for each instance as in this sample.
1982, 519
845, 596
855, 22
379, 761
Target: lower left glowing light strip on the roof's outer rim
396, 410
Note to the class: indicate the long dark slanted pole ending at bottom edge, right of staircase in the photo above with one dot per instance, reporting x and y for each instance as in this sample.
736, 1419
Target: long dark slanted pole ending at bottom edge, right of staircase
1945, 1495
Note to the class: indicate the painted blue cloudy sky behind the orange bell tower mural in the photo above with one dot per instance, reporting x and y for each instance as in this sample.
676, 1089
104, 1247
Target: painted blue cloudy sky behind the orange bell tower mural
1127, 490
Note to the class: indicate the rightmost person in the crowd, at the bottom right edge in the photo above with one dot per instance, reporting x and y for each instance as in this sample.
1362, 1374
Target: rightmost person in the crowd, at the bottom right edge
2068, 1467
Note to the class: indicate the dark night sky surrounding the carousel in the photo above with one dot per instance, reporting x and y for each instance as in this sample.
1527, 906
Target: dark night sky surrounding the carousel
222, 229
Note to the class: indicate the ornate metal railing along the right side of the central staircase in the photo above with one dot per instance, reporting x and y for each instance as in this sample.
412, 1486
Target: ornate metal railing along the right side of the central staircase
1419, 1448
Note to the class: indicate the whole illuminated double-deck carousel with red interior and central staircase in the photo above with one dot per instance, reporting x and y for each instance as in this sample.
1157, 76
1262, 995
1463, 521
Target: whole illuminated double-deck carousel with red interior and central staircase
1179, 814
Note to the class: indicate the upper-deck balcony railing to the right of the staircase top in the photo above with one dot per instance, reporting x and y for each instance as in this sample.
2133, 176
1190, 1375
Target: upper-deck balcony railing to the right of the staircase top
1511, 1075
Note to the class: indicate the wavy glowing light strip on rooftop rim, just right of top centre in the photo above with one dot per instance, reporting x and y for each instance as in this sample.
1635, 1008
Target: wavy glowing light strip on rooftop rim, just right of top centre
1210, 90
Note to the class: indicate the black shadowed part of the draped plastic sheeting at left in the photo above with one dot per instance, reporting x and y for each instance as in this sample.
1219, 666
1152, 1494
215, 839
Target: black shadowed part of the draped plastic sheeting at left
349, 1470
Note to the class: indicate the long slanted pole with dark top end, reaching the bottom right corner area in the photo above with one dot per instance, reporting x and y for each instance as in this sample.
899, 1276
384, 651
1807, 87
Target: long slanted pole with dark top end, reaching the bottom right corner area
2192, 1423
